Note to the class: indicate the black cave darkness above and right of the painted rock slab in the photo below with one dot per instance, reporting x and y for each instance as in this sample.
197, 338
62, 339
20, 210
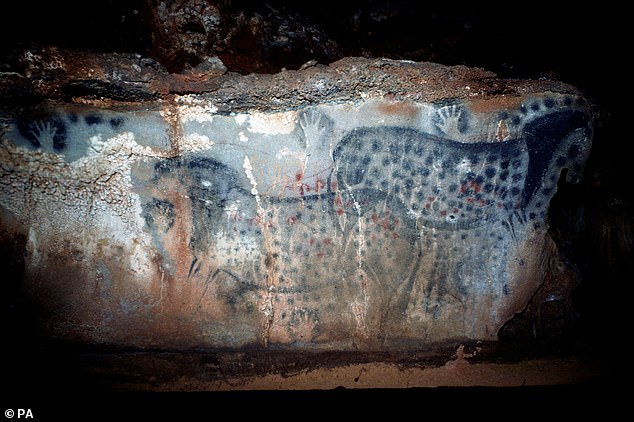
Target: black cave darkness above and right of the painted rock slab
580, 45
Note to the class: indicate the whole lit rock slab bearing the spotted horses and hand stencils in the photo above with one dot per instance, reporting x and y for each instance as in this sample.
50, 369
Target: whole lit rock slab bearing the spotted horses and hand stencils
371, 204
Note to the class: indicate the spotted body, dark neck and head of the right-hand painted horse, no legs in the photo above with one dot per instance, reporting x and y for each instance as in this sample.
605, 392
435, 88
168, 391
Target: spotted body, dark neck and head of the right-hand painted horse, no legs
453, 185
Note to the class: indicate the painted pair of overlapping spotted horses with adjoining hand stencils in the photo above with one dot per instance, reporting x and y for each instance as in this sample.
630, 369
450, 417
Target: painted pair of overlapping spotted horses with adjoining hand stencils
408, 227
